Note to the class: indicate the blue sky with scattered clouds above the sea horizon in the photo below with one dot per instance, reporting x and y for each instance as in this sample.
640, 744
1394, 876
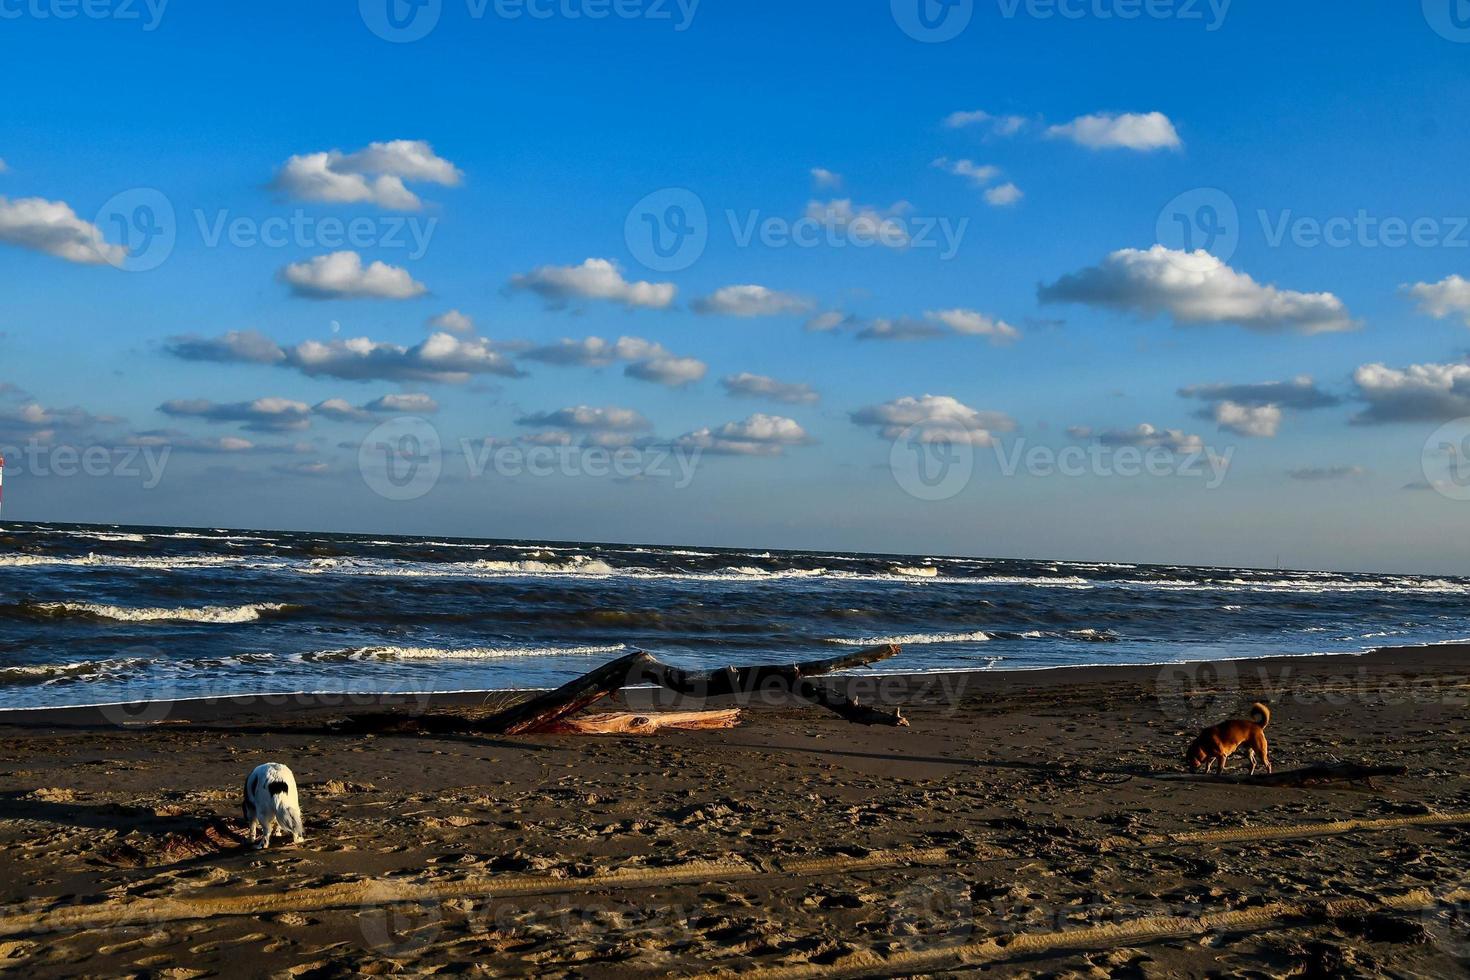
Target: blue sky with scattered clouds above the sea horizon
1062, 309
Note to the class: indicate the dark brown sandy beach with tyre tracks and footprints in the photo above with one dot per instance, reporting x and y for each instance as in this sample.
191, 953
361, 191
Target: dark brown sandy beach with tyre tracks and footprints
1021, 825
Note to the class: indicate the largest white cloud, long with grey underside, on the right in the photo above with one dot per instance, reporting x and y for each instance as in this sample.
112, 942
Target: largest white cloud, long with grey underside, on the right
1196, 289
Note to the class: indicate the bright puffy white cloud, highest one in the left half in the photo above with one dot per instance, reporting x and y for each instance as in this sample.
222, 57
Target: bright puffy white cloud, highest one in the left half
374, 176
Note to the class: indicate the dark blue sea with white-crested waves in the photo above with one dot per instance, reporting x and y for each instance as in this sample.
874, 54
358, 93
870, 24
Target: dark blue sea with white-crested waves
104, 615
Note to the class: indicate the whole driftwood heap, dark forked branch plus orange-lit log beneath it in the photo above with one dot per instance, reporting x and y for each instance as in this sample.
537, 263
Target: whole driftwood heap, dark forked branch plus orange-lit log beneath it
551, 712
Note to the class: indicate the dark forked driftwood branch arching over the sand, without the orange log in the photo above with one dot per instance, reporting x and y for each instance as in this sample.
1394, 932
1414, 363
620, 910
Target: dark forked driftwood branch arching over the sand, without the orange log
545, 710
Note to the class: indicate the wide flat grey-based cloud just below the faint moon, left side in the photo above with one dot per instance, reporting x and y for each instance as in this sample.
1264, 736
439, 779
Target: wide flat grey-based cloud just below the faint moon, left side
443, 358
